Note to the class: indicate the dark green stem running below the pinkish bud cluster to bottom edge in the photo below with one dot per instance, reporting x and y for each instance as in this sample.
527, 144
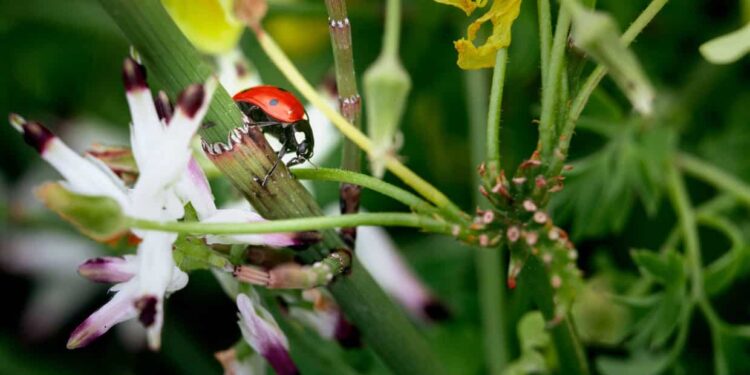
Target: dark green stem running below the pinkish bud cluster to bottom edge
571, 356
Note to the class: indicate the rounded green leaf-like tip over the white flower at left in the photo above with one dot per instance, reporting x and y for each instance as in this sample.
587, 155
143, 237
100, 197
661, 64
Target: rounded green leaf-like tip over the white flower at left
100, 218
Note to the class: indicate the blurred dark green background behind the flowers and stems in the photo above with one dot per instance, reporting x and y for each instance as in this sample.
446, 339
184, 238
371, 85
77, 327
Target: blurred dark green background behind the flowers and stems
61, 64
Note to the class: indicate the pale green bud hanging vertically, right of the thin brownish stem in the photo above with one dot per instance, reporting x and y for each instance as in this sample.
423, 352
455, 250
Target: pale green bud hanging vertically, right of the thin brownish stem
387, 86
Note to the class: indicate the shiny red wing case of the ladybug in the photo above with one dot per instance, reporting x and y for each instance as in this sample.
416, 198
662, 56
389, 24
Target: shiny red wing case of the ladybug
275, 102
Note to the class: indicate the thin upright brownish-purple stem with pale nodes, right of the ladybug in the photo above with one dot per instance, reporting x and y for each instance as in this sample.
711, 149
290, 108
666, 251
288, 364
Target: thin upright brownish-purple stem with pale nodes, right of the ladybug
350, 104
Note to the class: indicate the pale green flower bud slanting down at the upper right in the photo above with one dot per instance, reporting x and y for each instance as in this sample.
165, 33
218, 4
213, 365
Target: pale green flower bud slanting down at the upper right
597, 34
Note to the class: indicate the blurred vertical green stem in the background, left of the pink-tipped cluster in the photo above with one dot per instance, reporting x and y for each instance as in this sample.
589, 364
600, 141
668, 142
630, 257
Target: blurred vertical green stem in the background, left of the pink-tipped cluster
489, 264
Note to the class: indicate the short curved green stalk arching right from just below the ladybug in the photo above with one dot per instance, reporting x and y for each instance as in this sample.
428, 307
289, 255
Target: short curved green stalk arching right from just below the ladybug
414, 202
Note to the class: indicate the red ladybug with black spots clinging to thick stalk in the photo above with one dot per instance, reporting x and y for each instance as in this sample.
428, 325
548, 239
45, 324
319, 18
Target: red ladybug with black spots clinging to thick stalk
282, 116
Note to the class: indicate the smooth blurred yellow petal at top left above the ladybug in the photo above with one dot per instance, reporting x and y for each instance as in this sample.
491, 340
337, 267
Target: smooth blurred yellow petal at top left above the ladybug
209, 24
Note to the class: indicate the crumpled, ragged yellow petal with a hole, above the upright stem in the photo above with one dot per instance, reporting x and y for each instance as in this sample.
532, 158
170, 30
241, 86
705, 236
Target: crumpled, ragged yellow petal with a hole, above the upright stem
501, 14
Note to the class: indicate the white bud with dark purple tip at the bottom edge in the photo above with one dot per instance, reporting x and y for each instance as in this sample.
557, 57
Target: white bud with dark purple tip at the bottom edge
263, 334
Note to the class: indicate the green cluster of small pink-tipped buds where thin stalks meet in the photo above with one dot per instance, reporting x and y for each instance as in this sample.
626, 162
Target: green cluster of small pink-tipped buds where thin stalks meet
519, 217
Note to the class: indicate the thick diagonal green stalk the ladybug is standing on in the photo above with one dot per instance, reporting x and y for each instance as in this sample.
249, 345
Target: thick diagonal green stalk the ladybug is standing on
171, 59
